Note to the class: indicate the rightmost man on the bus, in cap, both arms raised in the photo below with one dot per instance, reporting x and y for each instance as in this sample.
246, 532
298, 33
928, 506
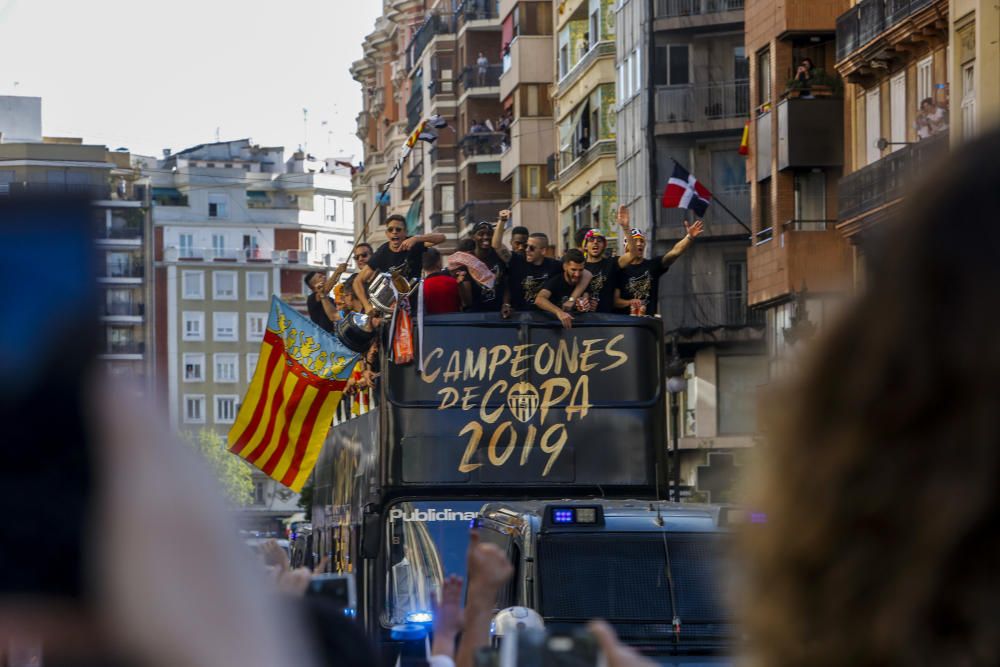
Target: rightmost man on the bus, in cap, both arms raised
638, 285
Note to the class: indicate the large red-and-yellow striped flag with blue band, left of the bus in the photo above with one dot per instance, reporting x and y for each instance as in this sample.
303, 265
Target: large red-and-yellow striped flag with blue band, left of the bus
287, 411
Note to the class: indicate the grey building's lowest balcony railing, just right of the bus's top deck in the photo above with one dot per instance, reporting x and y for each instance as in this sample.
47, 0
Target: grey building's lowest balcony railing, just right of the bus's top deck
711, 310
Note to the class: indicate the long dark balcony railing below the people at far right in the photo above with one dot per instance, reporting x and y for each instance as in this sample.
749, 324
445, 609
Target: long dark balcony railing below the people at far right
890, 178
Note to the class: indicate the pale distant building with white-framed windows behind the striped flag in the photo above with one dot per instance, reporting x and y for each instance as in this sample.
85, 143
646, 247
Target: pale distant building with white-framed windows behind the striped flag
235, 223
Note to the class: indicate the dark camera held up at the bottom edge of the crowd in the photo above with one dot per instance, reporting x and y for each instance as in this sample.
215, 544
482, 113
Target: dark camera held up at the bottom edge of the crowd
531, 647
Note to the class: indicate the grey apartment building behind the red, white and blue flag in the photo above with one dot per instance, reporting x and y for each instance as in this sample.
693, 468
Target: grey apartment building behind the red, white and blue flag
683, 95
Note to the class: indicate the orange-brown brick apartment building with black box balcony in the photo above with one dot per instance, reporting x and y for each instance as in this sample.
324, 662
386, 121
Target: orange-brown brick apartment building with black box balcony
798, 263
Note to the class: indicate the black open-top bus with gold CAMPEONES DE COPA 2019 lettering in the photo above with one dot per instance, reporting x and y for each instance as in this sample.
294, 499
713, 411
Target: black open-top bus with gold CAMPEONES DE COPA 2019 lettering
492, 410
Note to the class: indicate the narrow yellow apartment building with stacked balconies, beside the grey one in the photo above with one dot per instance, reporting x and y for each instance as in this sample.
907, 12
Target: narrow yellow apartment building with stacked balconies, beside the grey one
582, 172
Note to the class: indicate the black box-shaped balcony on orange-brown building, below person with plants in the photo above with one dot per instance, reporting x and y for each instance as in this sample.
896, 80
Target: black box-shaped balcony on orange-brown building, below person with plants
810, 133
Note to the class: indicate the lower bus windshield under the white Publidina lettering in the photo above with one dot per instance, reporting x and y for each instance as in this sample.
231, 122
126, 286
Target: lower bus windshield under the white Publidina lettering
426, 540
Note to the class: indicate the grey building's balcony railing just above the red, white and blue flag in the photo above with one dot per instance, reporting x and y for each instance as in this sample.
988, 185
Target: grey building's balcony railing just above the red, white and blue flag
703, 101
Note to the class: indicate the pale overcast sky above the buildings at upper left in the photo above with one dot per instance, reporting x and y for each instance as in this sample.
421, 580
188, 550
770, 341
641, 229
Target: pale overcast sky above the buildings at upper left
153, 74
